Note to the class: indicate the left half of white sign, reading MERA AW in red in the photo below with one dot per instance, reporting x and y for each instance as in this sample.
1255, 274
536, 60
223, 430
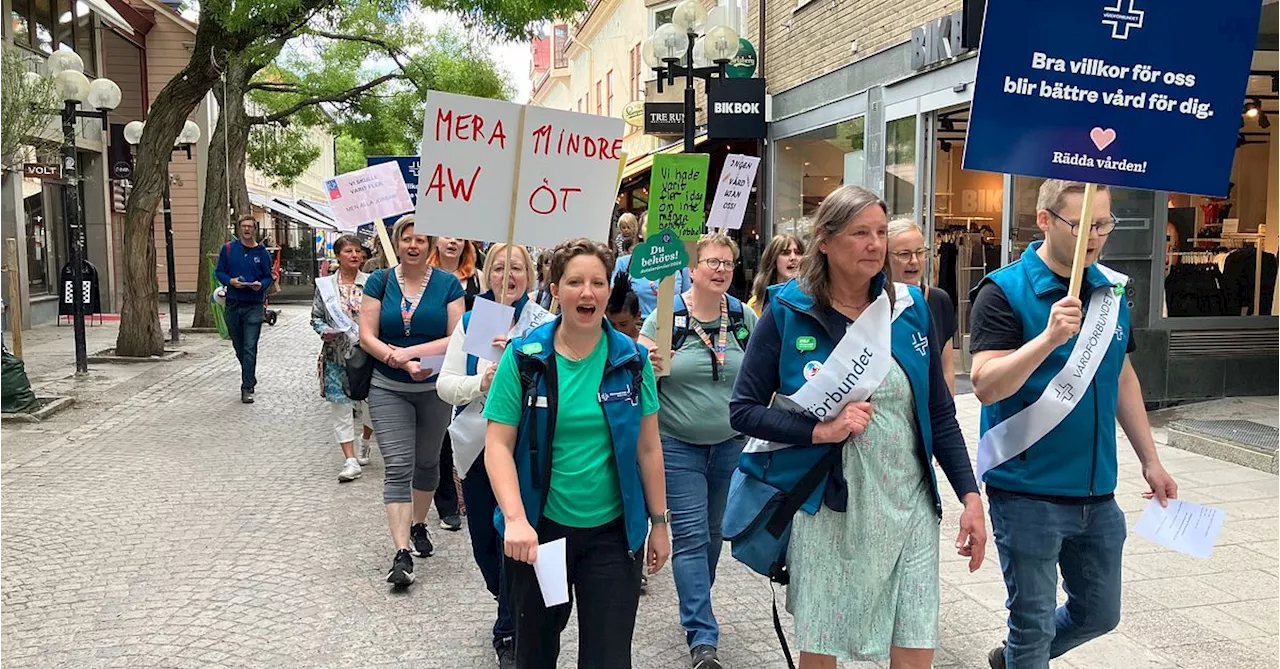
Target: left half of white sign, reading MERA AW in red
468, 167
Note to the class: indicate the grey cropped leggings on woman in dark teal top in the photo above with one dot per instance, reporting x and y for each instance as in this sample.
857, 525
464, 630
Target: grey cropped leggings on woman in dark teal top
410, 429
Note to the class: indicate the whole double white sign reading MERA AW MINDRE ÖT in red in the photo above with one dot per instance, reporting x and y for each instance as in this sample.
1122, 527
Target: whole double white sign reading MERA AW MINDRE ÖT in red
493, 169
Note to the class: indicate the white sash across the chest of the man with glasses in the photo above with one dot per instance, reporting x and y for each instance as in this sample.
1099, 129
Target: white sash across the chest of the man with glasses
1017, 434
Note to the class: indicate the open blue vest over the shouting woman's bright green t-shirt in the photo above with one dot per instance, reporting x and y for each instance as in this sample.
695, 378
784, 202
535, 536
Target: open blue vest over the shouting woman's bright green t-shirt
619, 396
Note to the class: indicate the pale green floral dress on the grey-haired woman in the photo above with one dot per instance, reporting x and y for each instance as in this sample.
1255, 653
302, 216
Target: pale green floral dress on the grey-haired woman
866, 580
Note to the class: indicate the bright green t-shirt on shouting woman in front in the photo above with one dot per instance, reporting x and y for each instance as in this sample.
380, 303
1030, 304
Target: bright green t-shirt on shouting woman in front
586, 491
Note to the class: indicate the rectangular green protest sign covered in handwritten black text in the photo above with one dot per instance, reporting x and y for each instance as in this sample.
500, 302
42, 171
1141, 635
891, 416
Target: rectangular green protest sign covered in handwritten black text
679, 191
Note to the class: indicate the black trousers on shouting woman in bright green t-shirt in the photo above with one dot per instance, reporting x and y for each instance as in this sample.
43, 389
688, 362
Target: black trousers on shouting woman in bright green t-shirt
606, 583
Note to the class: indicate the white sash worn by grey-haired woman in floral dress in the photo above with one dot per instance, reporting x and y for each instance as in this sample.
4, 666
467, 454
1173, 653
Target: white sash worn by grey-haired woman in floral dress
854, 370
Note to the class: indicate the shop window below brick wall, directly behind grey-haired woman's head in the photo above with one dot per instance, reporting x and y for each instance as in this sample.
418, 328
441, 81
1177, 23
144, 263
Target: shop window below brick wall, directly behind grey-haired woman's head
811, 167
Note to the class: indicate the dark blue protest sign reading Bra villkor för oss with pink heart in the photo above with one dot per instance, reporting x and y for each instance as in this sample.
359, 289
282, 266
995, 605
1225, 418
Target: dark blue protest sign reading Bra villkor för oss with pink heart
1137, 94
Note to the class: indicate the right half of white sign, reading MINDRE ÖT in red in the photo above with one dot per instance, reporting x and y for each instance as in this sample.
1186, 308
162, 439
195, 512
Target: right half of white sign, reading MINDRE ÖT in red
569, 177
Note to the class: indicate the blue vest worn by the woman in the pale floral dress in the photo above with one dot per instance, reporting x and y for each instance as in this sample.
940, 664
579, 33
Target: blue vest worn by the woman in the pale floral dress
802, 326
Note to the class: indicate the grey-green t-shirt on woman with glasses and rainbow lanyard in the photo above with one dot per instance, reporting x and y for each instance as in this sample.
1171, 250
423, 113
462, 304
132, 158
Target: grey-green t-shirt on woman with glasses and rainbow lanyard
696, 407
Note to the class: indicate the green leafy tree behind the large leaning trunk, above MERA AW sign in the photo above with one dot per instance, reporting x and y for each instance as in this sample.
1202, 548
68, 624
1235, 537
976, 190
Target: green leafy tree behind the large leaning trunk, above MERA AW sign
365, 72
